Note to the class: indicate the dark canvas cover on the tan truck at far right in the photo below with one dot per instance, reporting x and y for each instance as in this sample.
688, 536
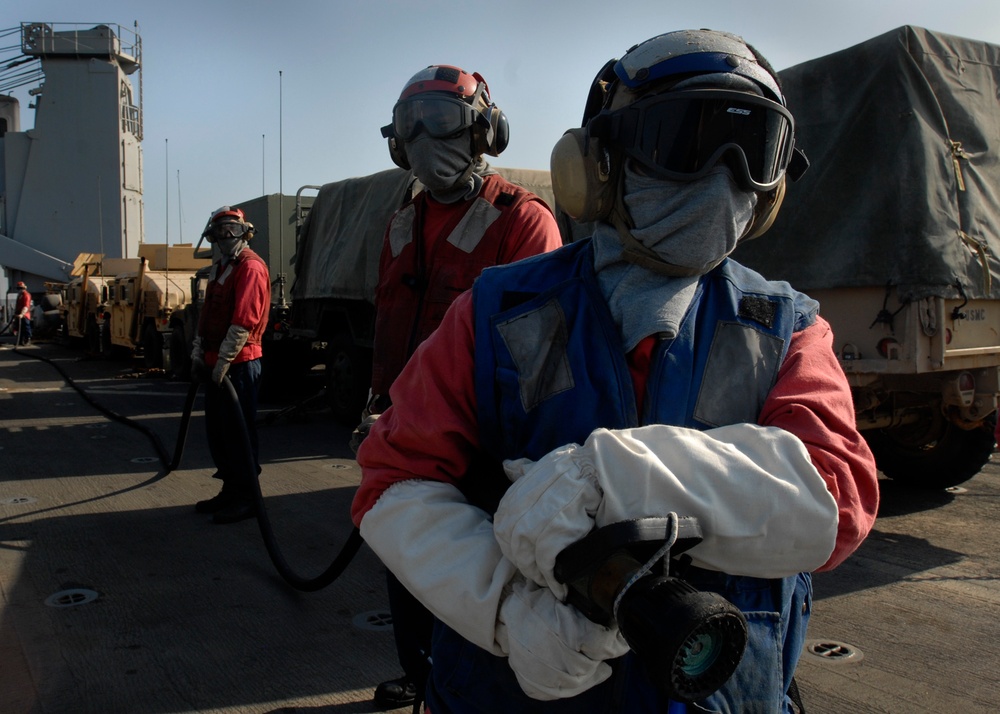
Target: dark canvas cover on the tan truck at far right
903, 136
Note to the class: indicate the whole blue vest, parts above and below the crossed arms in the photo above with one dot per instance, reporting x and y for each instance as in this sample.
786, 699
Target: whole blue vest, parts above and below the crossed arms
550, 368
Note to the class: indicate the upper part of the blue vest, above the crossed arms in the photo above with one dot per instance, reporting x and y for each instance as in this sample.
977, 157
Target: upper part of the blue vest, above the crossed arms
550, 367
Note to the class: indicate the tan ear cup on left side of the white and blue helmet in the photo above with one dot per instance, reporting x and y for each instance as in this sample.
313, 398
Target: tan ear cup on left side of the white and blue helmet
584, 176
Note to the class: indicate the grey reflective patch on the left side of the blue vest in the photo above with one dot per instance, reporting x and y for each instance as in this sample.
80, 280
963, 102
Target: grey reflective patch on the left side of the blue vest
537, 342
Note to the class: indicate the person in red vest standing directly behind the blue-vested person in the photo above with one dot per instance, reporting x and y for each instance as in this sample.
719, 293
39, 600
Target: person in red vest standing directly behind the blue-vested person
466, 219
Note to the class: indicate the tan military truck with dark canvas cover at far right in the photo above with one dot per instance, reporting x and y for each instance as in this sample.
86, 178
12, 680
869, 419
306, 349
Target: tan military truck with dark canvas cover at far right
895, 230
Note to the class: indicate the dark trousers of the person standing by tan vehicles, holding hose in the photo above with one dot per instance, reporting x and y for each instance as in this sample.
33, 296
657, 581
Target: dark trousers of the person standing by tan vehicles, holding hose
225, 440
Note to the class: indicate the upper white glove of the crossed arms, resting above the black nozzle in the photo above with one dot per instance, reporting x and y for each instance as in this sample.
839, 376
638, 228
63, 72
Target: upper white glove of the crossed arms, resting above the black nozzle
763, 508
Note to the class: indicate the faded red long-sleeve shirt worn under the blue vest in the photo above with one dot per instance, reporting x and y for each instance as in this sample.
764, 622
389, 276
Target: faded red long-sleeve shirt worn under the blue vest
431, 431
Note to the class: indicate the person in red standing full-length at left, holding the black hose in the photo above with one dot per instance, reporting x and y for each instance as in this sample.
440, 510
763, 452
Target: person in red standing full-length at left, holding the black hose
230, 328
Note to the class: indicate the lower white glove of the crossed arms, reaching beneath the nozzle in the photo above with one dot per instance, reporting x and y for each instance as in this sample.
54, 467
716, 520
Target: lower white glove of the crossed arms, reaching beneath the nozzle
443, 550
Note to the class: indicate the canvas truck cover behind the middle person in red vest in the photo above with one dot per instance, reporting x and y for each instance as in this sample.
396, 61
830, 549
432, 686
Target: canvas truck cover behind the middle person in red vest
341, 242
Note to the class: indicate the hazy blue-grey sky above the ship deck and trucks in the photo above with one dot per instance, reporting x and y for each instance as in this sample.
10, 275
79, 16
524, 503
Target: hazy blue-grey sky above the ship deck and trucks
251, 97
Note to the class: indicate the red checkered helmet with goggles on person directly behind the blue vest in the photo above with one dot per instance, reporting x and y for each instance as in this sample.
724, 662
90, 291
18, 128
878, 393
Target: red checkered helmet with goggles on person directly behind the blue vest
442, 100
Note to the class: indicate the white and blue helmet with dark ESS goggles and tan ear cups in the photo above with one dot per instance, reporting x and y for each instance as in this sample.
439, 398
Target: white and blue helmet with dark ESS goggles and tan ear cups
677, 105
